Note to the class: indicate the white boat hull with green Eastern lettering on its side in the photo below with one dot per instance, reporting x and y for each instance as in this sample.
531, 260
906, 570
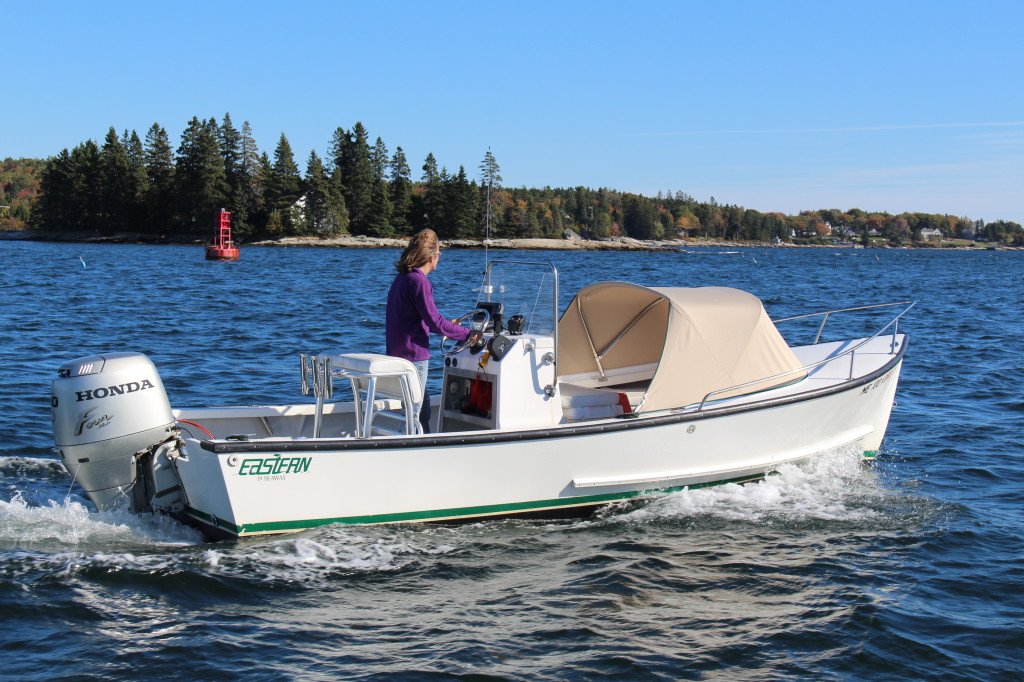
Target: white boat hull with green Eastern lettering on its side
240, 489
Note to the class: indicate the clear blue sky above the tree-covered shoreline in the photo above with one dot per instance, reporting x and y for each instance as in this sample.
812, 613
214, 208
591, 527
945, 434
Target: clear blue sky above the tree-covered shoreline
897, 106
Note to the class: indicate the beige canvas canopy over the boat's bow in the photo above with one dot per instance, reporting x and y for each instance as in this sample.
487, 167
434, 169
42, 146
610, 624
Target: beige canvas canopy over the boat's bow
701, 340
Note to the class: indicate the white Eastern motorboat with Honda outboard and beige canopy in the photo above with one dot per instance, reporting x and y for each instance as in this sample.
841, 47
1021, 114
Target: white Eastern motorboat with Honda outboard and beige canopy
631, 392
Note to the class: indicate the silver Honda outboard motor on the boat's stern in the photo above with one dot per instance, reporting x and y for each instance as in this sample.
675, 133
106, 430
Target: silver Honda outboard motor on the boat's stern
108, 411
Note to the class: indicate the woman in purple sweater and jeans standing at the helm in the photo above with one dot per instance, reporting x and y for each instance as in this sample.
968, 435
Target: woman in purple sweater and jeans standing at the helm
412, 316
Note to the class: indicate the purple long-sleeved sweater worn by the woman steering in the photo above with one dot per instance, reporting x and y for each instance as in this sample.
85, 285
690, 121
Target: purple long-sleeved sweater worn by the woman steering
412, 316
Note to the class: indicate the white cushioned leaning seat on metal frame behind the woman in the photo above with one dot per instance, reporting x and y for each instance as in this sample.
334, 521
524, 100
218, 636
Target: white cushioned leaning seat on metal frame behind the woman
376, 379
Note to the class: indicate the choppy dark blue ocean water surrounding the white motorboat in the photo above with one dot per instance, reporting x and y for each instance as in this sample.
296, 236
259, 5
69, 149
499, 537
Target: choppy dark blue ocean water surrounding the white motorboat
910, 569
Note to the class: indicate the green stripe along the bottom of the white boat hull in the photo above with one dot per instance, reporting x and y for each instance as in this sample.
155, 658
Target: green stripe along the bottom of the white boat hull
457, 515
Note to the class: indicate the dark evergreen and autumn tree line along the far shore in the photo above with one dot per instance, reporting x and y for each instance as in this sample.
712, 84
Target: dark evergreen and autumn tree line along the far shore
135, 186
